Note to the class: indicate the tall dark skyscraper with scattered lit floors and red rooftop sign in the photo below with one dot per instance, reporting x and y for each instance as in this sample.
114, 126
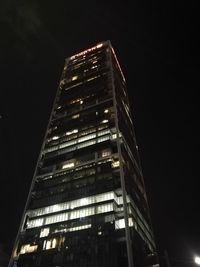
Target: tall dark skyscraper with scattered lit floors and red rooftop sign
87, 205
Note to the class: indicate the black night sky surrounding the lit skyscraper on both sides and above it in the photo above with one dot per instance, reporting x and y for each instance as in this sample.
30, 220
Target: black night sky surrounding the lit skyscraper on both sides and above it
157, 47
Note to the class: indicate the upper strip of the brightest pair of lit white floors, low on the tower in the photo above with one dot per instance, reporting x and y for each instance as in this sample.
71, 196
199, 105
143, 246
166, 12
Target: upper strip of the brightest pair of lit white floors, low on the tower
75, 204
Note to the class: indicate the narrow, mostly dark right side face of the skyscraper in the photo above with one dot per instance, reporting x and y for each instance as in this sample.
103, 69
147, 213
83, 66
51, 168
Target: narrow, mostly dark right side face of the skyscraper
142, 238
